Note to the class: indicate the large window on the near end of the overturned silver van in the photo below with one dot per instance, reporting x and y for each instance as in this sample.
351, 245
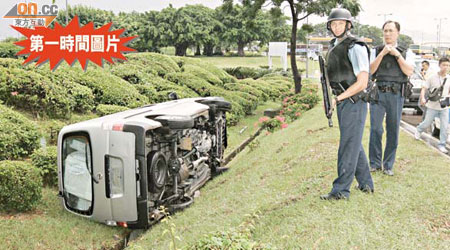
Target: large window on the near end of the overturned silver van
77, 166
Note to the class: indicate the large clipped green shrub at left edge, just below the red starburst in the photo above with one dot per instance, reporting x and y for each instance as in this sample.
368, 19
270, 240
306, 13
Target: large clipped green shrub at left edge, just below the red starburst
32, 91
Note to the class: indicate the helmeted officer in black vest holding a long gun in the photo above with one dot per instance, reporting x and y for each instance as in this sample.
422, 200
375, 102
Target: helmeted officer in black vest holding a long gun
348, 73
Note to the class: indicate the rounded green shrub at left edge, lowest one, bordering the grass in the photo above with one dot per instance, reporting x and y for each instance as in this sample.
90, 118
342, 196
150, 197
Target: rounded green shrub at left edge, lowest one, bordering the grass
20, 186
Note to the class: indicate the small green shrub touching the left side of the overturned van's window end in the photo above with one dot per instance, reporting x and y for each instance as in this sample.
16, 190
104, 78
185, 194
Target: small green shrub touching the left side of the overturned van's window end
44, 159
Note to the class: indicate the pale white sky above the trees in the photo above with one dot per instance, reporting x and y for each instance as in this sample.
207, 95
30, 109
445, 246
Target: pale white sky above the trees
418, 18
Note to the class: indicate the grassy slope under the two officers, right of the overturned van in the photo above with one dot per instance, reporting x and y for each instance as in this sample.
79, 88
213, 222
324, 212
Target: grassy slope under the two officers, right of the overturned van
283, 179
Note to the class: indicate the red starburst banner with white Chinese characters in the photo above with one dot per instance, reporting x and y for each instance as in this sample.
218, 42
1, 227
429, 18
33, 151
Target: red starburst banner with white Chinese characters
73, 43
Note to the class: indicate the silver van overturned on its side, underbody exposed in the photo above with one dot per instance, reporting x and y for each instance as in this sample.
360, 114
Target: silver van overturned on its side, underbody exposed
121, 168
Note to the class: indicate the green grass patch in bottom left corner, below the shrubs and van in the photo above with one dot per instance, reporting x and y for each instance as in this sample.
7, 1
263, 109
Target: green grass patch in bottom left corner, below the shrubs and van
51, 227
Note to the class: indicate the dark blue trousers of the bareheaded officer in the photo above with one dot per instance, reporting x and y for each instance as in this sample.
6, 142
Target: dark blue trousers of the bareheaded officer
391, 105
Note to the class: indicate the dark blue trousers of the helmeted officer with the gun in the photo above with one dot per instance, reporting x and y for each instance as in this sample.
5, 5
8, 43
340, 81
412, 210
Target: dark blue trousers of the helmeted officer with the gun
352, 160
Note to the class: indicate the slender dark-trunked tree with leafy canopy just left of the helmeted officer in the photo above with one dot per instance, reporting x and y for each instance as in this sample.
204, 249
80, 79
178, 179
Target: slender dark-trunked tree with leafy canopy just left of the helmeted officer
301, 9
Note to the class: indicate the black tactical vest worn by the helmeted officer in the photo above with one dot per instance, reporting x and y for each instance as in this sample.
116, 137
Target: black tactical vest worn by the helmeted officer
339, 66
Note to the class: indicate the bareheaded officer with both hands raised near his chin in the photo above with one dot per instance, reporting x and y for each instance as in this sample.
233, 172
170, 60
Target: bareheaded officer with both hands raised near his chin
391, 66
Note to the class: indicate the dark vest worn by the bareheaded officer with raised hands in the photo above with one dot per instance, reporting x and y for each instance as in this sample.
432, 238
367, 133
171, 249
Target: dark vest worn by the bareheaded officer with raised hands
389, 69
